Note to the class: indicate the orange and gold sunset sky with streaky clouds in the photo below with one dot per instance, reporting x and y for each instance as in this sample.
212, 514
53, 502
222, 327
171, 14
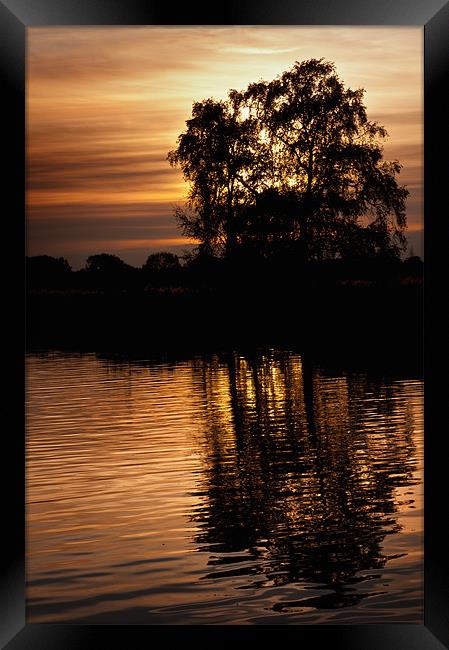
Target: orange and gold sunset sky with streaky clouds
106, 104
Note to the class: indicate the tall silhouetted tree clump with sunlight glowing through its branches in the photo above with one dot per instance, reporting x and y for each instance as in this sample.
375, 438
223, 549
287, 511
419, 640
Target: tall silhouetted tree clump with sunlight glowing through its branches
290, 164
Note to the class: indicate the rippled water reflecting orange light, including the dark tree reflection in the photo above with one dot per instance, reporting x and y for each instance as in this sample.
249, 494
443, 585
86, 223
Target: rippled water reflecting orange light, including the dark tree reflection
222, 490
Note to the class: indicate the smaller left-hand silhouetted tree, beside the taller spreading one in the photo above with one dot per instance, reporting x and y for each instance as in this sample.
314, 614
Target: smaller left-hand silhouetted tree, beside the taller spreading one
215, 154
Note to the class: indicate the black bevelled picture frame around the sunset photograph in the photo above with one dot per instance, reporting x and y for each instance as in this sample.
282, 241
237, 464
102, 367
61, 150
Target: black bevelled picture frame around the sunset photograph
15, 17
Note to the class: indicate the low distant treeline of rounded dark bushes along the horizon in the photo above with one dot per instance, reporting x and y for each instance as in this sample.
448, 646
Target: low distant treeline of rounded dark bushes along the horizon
165, 269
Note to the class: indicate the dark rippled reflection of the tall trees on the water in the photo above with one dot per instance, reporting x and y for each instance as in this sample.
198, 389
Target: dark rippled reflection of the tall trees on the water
300, 472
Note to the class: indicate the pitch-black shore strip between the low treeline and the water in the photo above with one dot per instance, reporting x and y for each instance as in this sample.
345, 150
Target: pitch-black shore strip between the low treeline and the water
360, 326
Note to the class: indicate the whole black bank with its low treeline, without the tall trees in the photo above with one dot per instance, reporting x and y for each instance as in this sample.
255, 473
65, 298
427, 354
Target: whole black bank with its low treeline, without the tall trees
359, 315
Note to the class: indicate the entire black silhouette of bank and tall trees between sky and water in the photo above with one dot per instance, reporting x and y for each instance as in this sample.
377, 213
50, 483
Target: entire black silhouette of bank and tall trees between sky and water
300, 227
